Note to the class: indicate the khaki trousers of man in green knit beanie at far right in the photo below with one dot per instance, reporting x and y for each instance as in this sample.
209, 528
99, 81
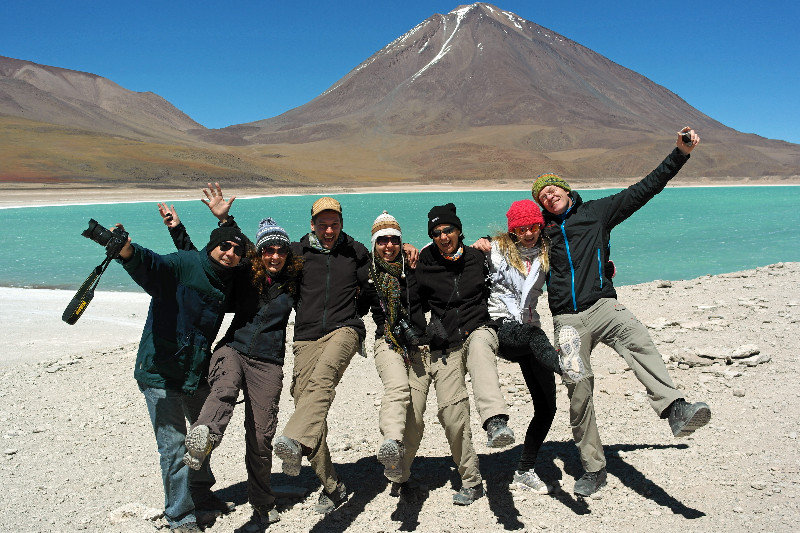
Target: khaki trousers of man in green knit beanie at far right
611, 323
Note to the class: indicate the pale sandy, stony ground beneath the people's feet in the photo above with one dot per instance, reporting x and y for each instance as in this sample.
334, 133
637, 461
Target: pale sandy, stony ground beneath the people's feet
79, 453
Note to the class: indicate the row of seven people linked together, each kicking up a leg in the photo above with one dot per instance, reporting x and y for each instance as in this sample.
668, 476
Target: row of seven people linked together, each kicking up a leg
481, 303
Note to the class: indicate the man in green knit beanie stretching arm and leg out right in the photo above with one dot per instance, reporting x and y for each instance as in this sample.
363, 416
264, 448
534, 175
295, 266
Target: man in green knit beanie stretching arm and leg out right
585, 310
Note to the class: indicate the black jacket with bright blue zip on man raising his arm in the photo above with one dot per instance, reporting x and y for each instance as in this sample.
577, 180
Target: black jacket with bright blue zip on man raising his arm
579, 239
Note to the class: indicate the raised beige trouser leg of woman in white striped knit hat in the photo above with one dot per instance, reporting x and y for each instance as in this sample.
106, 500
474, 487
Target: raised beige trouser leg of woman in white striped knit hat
393, 372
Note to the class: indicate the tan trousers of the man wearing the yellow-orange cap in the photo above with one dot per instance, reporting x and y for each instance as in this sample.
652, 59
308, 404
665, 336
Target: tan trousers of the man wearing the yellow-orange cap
318, 367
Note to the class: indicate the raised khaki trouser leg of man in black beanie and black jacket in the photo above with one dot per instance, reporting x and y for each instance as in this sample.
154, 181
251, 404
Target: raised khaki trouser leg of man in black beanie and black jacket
480, 349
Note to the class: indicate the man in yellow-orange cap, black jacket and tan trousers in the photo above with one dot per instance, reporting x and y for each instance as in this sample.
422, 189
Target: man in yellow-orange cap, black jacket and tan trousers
332, 297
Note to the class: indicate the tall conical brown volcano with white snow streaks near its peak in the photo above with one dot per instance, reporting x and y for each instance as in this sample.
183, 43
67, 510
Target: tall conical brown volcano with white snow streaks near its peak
481, 92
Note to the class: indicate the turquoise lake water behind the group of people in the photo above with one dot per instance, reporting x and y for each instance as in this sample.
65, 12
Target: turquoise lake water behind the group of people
682, 233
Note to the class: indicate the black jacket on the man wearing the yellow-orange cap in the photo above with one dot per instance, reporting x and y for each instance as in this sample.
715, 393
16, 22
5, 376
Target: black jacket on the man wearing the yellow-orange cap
334, 289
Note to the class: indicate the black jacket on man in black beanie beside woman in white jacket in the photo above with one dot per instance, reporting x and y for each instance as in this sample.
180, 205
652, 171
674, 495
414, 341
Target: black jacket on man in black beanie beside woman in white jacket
456, 292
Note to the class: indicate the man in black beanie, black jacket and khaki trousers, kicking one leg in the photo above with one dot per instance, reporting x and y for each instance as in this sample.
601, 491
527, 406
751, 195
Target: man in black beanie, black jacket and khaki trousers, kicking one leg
452, 285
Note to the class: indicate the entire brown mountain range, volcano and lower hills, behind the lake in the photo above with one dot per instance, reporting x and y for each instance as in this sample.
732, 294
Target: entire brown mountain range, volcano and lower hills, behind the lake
475, 94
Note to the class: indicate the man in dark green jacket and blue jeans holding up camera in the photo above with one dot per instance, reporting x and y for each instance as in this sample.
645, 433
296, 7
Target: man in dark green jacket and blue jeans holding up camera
190, 290
